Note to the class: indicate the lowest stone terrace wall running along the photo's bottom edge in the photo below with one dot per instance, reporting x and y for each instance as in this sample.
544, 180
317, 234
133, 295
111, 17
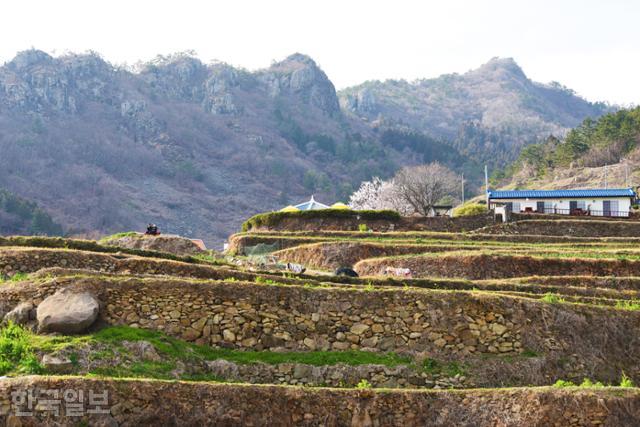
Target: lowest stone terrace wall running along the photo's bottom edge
138, 403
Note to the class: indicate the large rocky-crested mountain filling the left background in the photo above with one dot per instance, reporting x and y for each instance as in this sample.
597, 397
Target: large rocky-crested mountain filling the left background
190, 146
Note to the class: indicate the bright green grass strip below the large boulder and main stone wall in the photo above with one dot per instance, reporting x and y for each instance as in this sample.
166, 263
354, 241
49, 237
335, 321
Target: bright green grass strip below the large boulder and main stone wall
19, 349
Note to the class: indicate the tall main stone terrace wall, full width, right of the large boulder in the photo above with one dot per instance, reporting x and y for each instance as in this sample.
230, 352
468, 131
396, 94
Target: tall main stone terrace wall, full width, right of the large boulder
443, 324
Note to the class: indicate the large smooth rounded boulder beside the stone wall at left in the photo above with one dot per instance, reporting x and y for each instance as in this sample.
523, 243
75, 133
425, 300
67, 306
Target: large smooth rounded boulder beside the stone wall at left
67, 312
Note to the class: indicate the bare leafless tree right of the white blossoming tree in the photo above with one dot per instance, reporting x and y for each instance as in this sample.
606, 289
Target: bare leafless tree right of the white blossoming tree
423, 186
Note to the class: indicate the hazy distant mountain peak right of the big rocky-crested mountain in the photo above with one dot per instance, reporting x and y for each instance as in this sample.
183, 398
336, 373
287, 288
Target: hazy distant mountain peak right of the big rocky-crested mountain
488, 113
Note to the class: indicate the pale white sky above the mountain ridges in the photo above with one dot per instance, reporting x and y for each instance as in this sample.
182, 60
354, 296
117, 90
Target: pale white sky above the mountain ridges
591, 46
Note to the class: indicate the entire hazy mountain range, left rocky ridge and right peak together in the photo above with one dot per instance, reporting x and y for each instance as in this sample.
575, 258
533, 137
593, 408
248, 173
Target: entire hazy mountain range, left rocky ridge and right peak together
196, 147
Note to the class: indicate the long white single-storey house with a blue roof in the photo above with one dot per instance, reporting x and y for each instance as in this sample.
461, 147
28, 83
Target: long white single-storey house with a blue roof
595, 202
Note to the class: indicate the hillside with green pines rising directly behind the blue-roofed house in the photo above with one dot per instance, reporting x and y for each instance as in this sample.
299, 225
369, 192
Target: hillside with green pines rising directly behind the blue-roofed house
597, 153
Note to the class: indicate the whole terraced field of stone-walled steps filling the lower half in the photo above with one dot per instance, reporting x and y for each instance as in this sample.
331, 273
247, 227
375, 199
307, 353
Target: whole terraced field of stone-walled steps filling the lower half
471, 328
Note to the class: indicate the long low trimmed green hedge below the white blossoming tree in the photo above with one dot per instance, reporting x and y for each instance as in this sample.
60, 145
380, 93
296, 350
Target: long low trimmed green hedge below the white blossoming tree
269, 219
